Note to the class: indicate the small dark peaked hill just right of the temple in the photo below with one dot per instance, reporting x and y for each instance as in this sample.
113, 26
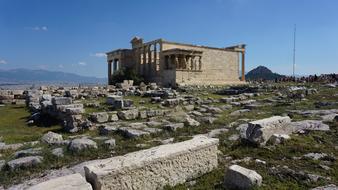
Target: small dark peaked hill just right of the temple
263, 73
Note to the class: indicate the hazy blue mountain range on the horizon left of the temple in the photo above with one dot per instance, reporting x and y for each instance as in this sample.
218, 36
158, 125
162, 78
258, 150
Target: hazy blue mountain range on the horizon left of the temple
18, 76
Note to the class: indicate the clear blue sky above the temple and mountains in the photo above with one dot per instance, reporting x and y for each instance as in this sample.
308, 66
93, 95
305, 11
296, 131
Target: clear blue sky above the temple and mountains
72, 35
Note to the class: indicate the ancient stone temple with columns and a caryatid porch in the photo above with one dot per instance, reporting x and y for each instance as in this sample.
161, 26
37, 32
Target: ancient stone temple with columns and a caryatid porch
171, 63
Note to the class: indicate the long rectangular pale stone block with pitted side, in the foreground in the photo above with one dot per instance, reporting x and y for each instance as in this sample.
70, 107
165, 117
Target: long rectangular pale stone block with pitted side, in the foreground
156, 167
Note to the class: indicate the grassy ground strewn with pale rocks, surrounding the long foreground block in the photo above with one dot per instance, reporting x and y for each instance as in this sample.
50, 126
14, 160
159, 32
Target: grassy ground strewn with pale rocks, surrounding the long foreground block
271, 135
